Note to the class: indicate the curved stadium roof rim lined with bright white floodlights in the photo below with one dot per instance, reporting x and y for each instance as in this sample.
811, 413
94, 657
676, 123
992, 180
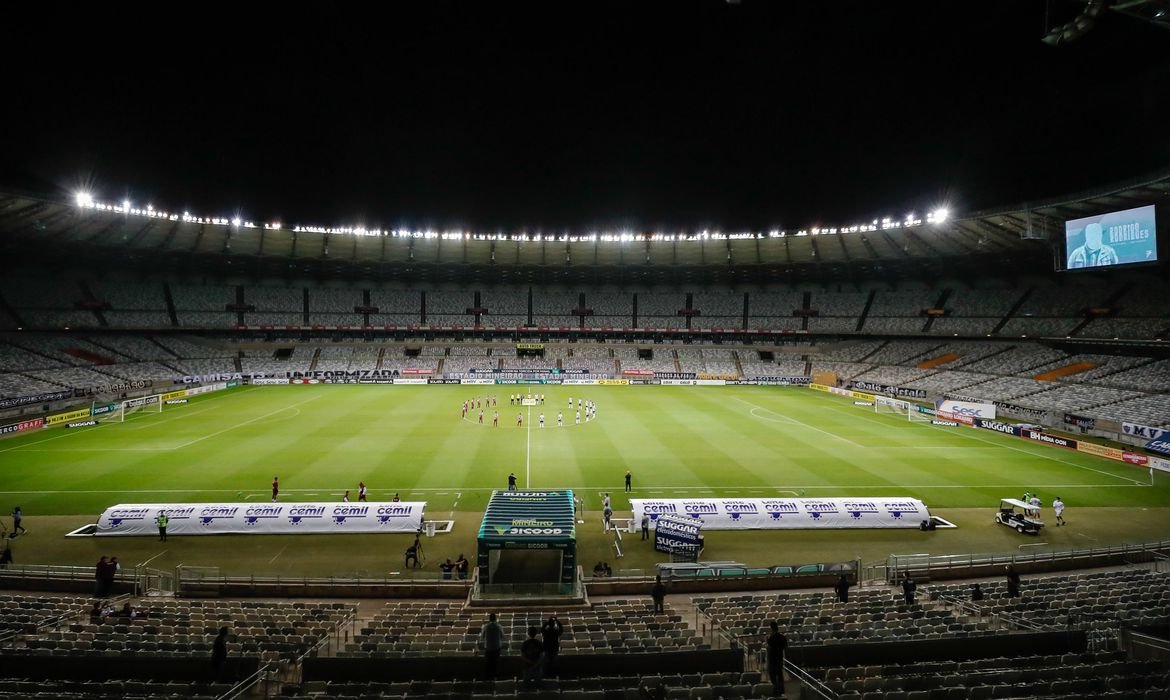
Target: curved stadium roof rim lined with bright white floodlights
122, 236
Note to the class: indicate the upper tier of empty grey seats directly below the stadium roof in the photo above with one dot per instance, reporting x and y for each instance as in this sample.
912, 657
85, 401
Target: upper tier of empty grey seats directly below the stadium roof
1134, 306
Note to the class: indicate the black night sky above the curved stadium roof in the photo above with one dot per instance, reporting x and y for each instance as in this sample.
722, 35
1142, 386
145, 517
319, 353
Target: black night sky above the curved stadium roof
573, 115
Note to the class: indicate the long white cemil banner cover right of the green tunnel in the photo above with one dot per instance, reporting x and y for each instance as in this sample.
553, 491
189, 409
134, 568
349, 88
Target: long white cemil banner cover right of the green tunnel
753, 514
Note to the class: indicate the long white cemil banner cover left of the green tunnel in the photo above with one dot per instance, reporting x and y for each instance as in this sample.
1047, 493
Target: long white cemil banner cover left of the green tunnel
263, 519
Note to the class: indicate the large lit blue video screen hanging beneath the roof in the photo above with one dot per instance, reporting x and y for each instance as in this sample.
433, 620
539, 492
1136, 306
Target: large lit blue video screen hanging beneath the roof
1118, 238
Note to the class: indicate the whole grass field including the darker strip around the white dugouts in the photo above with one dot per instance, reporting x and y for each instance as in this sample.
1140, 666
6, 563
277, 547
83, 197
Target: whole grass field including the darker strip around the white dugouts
322, 441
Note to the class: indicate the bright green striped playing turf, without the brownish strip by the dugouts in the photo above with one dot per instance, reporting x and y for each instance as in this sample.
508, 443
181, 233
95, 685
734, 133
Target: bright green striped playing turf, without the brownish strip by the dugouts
676, 441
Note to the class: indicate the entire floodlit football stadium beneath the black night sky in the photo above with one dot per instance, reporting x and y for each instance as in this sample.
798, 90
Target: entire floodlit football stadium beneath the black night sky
912, 457
